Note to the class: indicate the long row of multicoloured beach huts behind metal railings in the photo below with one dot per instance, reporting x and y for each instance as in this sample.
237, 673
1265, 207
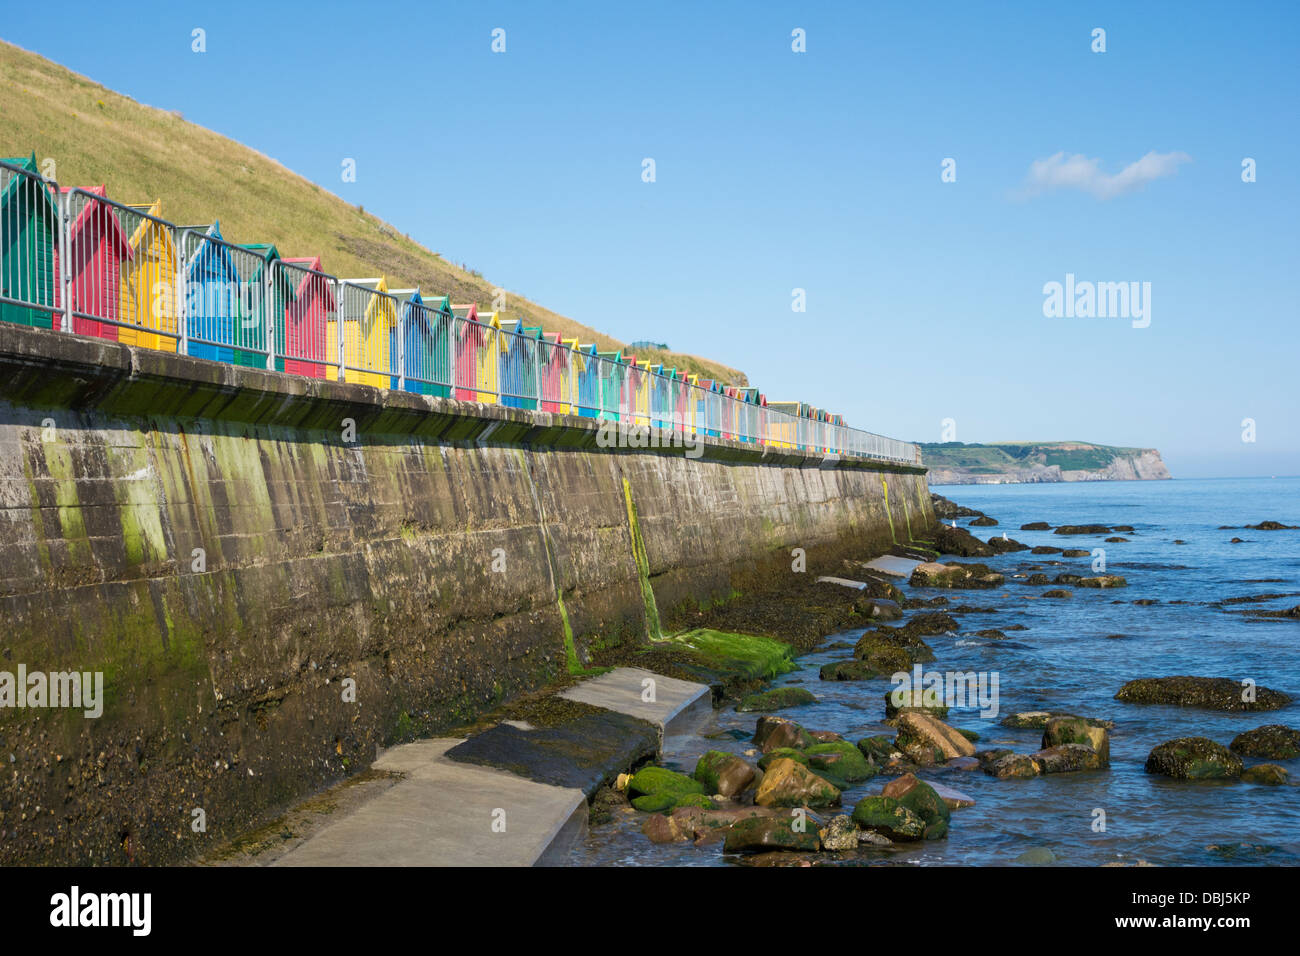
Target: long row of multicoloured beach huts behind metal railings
76, 261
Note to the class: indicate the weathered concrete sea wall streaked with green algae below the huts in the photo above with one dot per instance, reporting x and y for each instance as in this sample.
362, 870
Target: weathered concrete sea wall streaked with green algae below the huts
328, 561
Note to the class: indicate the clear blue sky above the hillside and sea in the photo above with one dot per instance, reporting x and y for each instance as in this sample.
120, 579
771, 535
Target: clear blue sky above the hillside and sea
818, 171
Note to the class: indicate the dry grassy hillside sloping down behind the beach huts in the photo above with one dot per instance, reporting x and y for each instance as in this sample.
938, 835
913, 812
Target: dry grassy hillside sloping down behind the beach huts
97, 136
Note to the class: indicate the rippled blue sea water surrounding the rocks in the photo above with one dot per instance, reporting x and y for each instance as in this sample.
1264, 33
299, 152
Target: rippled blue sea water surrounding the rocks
1069, 661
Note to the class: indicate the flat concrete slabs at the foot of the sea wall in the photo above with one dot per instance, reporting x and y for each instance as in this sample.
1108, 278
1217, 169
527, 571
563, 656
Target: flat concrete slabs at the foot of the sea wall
513, 795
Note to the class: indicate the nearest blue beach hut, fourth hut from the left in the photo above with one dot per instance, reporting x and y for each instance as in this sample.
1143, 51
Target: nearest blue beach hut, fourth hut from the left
213, 301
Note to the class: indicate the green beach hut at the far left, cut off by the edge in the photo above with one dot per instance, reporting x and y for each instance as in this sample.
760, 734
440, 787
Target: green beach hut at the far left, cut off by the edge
29, 236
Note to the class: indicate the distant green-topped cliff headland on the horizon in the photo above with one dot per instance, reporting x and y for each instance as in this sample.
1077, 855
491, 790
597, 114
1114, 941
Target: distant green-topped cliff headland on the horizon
956, 464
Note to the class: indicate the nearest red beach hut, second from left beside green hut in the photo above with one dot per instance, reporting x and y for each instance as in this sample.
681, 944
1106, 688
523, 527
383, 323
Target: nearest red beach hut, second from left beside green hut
98, 250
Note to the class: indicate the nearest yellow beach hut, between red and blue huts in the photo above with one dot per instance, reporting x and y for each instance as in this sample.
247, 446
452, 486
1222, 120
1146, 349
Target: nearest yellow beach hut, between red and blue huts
149, 283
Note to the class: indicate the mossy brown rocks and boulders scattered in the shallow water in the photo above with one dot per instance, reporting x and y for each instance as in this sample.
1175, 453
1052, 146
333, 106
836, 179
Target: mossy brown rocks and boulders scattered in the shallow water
782, 801
